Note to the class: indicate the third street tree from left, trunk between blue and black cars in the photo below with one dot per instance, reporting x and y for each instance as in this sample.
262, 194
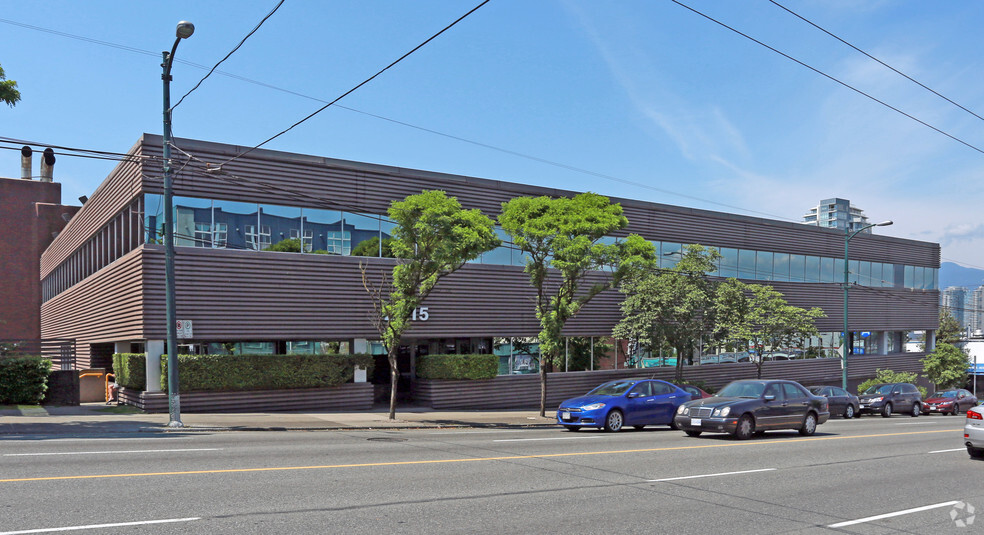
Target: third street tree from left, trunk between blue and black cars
672, 306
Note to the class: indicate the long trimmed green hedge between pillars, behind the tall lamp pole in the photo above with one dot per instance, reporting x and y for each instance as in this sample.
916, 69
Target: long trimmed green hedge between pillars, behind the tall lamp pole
223, 373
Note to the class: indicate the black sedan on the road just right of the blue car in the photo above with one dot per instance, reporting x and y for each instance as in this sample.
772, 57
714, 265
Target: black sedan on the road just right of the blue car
749, 407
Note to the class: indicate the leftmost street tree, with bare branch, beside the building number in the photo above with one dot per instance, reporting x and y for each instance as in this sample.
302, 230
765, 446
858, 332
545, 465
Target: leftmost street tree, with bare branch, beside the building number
433, 238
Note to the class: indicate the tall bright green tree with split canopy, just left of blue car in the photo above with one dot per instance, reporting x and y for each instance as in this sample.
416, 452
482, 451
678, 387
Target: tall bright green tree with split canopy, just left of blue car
566, 234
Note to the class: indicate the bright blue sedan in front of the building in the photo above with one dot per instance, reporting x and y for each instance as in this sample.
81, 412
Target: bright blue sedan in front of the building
635, 402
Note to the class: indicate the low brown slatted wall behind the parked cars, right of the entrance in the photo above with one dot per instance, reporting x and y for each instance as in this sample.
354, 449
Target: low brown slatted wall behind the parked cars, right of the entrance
524, 390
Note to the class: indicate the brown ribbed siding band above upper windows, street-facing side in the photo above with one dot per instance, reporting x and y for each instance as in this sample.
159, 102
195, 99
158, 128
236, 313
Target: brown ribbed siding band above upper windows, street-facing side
314, 182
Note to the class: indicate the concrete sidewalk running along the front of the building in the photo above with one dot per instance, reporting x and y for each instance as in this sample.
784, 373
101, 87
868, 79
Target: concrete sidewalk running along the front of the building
90, 418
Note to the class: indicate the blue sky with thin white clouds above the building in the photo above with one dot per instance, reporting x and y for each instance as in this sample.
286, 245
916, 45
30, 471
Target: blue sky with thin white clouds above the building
667, 105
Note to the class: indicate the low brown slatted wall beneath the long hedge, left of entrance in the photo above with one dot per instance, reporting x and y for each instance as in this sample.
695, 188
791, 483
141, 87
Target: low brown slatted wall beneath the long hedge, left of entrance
346, 397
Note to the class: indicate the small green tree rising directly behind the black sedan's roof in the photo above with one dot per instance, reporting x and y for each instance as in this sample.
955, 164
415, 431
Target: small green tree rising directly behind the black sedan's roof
759, 316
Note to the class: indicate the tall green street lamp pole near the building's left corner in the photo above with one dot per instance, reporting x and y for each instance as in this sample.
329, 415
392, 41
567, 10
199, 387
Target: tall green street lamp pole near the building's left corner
183, 31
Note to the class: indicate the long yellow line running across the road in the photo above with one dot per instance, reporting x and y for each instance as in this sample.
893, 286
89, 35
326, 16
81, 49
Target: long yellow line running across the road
476, 459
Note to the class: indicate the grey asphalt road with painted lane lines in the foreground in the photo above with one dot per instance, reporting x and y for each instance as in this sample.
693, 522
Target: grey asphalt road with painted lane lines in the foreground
912, 472
